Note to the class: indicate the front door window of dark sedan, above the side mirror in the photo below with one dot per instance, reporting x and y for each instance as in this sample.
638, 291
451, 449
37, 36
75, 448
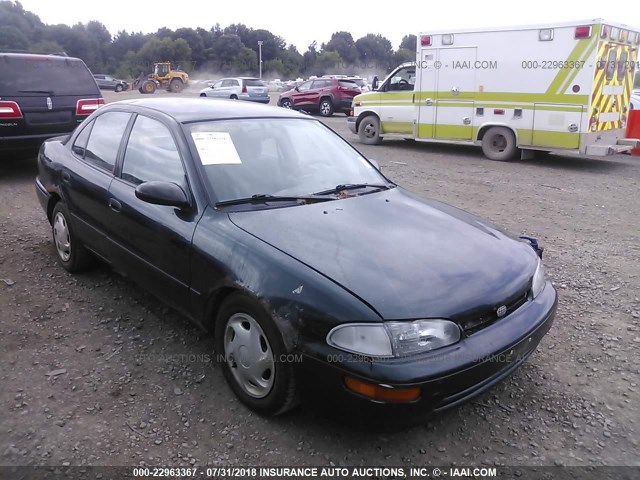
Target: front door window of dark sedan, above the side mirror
151, 154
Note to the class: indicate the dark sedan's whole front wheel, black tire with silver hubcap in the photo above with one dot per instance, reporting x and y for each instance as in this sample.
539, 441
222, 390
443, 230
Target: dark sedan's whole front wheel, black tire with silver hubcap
240, 312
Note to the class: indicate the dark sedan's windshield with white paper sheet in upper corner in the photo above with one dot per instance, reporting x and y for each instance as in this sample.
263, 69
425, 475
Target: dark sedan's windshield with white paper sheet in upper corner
280, 157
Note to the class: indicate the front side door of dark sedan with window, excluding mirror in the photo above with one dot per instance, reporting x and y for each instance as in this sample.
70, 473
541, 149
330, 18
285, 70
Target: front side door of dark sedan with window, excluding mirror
152, 243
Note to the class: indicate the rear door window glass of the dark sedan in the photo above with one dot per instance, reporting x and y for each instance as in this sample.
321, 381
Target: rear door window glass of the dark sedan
104, 139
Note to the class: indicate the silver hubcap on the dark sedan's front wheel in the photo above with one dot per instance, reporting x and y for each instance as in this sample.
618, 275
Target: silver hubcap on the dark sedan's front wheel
249, 355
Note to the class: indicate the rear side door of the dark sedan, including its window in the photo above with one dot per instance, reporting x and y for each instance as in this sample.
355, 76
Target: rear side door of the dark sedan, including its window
85, 183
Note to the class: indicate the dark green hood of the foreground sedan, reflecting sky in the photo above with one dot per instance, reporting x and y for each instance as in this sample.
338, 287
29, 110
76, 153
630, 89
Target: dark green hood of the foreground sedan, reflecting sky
406, 257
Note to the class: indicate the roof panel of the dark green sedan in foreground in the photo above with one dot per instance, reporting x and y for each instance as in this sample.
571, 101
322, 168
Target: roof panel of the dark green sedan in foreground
186, 110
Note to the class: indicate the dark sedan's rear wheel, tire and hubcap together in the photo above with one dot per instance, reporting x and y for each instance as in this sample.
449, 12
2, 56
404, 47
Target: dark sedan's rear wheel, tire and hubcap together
71, 254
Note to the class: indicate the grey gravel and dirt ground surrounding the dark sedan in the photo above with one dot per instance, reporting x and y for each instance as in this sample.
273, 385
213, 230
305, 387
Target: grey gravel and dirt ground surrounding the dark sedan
95, 372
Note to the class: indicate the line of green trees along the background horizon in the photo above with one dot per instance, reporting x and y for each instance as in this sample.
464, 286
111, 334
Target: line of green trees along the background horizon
230, 50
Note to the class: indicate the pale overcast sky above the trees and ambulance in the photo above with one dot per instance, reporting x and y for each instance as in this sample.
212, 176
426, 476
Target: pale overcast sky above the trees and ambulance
300, 22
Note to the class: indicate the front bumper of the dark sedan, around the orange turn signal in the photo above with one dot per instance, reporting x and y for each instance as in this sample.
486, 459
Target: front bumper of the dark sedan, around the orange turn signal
446, 377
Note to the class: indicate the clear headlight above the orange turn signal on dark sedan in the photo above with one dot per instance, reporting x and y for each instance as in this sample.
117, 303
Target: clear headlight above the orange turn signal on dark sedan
394, 339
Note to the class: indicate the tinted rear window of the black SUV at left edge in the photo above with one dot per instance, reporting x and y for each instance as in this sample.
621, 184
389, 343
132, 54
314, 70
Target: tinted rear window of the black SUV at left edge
38, 75
